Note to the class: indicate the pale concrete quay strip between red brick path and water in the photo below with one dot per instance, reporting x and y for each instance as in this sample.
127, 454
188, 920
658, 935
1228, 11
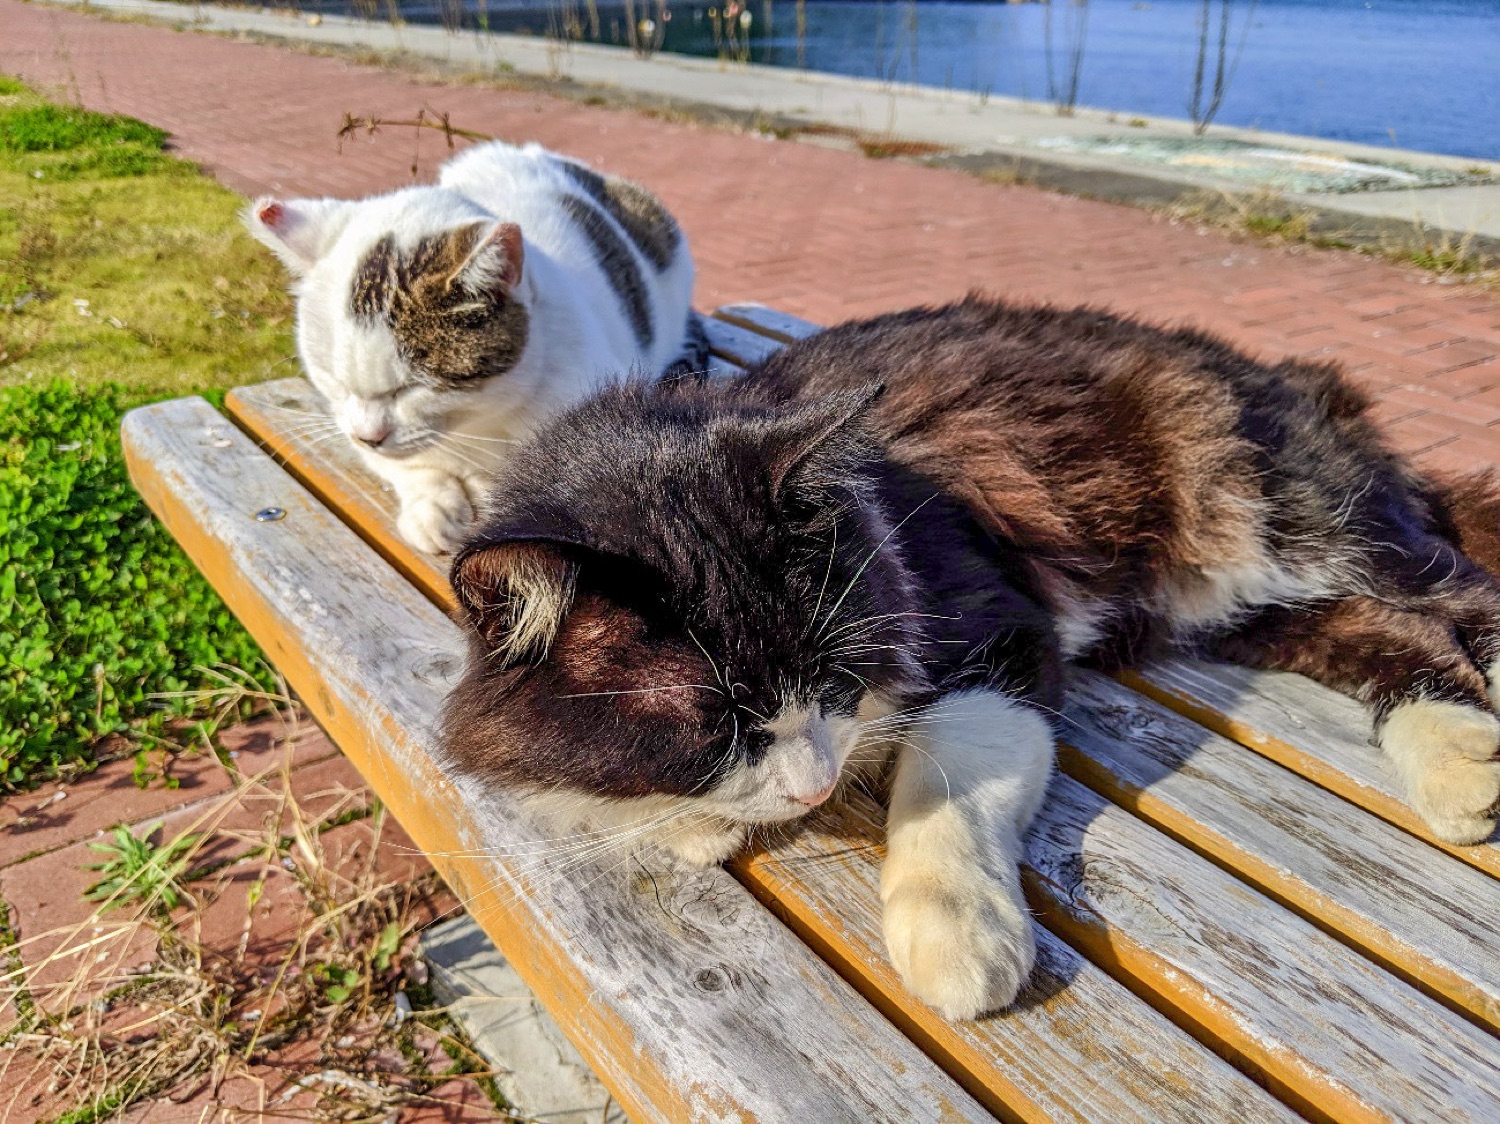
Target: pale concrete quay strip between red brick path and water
1106, 155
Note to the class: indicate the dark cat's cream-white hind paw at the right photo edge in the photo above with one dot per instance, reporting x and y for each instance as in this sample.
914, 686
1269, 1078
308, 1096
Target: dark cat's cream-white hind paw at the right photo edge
1447, 757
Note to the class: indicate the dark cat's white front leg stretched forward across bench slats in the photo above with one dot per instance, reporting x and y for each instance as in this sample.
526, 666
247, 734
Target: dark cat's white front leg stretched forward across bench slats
970, 777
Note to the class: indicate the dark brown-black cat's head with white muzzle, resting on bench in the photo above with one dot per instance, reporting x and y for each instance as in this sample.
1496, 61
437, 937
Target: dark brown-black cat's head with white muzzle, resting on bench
704, 630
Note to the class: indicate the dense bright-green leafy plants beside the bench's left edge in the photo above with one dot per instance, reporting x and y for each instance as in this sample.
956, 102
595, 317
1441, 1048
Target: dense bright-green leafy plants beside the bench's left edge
101, 613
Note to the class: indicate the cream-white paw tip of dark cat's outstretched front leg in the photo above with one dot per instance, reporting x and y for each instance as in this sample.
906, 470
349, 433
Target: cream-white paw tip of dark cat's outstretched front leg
964, 945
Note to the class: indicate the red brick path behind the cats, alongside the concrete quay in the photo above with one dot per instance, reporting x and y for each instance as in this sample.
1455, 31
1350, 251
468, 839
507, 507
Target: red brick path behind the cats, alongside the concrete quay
826, 235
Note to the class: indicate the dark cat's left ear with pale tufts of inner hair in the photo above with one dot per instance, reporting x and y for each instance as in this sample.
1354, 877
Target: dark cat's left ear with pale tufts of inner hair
515, 597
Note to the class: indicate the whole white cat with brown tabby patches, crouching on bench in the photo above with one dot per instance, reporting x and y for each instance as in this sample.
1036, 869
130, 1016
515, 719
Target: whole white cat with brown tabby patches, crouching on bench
443, 323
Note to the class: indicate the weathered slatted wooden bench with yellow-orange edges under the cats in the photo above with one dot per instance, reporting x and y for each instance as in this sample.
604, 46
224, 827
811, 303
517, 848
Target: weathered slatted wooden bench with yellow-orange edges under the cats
1240, 918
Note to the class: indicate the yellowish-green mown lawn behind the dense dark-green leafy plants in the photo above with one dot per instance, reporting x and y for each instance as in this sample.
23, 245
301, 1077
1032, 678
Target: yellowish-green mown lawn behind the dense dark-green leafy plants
121, 263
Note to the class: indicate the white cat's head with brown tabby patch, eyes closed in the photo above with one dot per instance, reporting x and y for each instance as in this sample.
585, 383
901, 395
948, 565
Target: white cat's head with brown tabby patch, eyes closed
403, 311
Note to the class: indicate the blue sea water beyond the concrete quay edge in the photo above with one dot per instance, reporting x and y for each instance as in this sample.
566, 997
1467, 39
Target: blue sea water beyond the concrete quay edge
1412, 74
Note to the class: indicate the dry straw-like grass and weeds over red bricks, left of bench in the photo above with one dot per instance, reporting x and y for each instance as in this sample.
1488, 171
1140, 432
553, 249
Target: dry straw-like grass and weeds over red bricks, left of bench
316, 1006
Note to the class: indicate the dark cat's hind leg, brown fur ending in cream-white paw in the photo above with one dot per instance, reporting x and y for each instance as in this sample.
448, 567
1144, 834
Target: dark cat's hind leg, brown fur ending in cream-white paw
1432, 705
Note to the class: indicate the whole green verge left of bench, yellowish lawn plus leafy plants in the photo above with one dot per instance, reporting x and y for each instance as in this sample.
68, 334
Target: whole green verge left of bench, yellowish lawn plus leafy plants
125, 277
